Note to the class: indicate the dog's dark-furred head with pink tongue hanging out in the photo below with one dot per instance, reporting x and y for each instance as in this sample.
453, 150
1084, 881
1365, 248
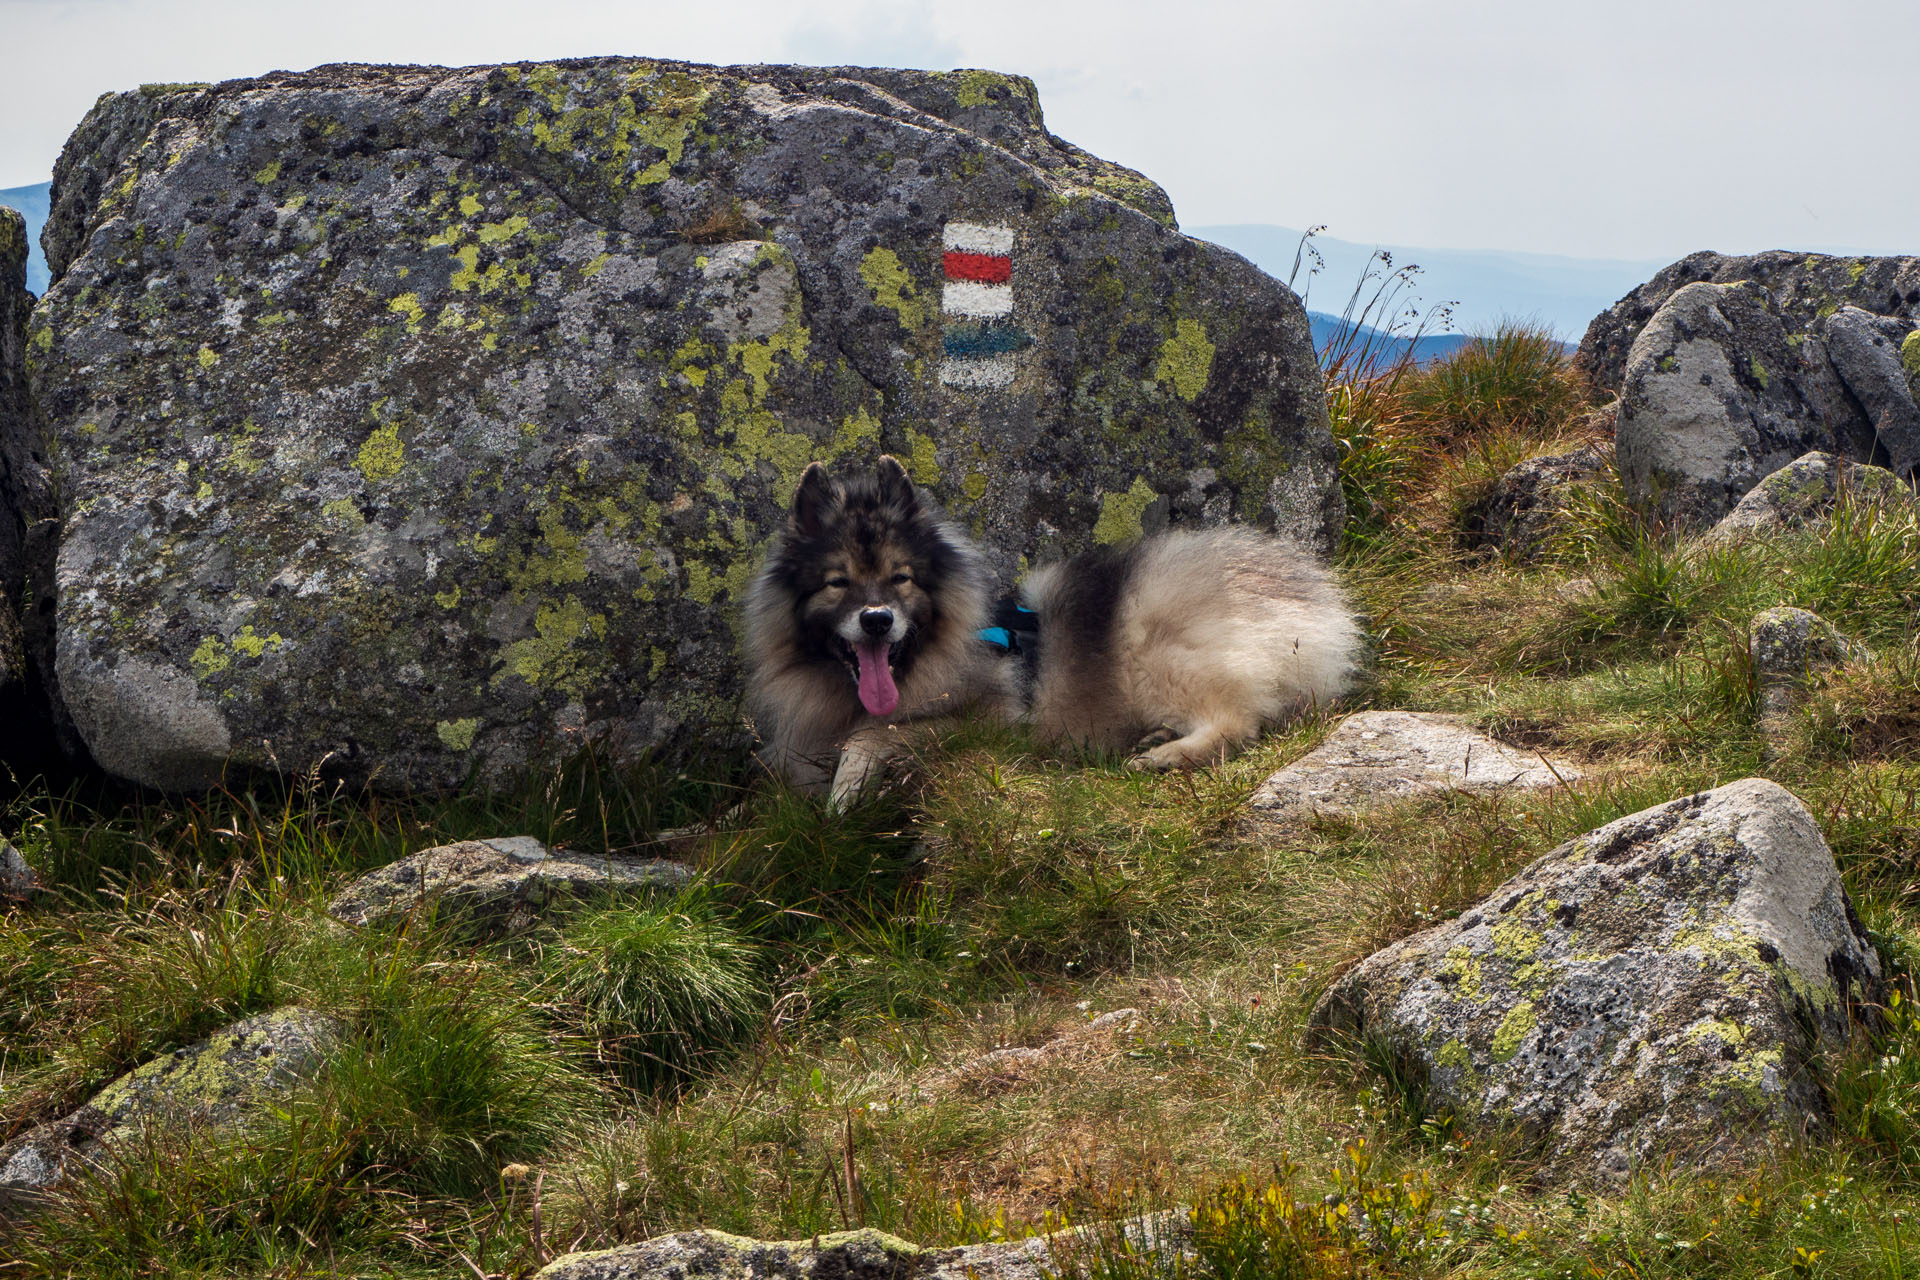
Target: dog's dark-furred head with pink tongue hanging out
865, 563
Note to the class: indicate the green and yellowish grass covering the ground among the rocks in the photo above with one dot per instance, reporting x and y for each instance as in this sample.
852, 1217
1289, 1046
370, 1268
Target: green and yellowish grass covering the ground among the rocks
796, 1045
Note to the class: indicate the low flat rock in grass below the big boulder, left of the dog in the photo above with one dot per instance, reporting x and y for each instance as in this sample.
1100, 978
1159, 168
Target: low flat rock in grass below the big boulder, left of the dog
500, 886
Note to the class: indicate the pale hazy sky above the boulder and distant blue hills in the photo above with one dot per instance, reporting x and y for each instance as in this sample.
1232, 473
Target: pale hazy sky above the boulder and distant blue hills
1589, 128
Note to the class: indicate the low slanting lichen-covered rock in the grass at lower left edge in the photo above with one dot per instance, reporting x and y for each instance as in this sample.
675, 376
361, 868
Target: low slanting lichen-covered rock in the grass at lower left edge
214, 1083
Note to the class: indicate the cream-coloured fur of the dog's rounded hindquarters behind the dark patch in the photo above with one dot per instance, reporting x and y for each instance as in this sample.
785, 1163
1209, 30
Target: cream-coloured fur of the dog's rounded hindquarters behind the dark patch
1218, 634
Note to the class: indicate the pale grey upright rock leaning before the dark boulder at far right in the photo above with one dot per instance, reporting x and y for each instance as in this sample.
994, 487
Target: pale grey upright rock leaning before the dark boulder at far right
1716, 400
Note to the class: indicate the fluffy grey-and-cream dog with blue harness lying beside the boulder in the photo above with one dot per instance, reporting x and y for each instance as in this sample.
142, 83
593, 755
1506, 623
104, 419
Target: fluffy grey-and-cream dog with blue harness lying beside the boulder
1178, 650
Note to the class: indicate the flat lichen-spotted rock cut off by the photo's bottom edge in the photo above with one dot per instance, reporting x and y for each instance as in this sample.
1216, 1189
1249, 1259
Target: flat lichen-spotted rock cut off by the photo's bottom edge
867, 1256
